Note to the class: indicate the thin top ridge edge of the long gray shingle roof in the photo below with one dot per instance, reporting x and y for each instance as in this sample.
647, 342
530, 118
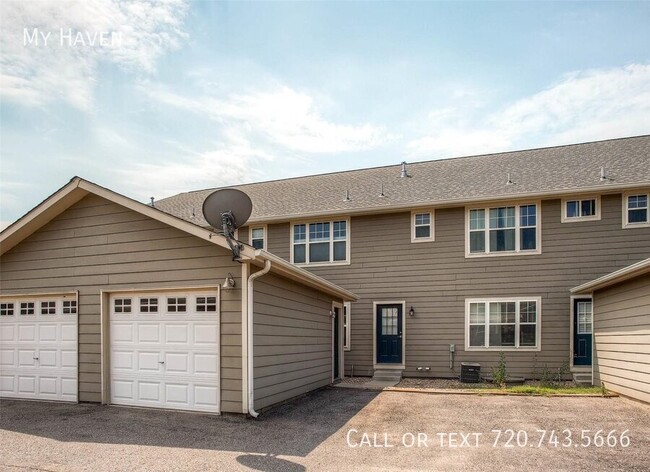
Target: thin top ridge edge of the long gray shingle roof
471, 156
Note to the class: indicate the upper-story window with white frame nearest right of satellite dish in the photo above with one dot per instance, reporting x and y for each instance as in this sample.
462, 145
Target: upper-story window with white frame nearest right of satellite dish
320, 243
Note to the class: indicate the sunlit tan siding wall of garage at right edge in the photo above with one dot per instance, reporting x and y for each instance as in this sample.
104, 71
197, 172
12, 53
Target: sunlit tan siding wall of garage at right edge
622, 338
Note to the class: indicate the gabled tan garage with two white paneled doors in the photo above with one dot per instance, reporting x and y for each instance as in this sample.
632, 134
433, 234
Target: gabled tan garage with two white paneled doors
104, 299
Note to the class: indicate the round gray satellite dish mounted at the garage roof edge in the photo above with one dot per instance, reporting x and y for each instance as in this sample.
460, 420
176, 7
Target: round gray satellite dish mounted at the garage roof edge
226, 210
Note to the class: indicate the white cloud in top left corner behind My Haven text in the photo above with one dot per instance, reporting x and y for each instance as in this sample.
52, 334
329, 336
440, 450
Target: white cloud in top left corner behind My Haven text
135, 35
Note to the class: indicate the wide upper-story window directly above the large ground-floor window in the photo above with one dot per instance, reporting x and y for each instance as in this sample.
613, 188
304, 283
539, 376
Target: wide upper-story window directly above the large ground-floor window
508, 229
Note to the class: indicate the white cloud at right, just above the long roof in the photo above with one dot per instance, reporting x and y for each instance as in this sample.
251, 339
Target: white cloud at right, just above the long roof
583, 106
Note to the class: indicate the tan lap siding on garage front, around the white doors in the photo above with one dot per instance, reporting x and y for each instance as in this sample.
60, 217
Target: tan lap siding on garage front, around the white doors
97, 245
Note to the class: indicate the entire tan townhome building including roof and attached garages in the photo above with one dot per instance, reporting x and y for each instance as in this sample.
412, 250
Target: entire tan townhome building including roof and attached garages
411, 269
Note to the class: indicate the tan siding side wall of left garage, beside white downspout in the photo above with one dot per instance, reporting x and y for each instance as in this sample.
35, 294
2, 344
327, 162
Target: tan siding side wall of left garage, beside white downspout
292, 340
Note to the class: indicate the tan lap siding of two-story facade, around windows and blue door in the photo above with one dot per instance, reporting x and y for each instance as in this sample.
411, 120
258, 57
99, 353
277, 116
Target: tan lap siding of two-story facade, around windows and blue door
436, 278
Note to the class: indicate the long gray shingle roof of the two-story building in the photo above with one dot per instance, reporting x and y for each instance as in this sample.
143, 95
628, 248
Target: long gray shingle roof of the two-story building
544, 171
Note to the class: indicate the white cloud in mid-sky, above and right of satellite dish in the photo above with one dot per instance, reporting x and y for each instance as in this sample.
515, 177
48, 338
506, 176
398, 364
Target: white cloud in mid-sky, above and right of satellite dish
283, 117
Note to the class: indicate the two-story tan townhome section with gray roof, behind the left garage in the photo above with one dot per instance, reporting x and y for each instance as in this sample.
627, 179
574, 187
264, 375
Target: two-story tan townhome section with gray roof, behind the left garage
458, 260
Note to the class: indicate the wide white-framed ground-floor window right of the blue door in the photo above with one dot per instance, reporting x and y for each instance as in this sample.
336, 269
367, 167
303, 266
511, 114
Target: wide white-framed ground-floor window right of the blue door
503, 324
